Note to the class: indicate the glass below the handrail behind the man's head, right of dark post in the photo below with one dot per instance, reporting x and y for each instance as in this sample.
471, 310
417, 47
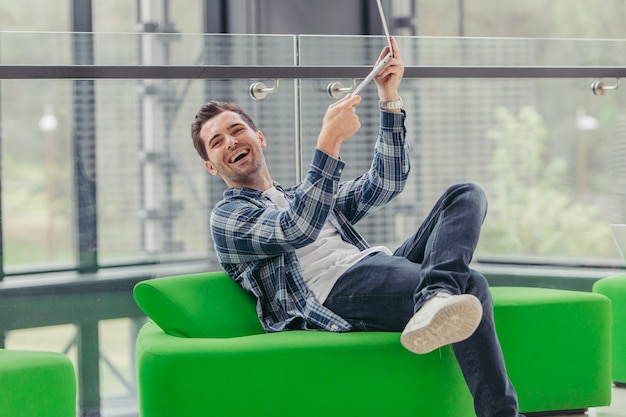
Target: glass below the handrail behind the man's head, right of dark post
154, 194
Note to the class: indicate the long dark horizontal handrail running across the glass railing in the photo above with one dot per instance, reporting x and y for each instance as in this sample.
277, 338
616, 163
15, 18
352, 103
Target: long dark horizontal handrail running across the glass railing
225, 72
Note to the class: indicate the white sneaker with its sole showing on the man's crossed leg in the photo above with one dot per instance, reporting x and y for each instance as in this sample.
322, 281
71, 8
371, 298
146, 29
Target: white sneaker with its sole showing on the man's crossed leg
442, 320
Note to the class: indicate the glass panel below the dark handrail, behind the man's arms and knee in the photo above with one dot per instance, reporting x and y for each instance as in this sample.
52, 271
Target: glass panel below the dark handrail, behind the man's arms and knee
549, 154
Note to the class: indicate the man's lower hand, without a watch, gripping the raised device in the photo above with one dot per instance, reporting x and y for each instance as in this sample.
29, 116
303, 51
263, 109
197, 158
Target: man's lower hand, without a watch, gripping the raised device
340, 124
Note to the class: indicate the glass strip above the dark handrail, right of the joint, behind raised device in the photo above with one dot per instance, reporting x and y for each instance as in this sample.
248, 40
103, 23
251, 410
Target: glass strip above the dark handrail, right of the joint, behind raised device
436, 51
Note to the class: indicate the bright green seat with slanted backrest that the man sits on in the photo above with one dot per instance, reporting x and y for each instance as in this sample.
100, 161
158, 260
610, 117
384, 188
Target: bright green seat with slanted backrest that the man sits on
211, 357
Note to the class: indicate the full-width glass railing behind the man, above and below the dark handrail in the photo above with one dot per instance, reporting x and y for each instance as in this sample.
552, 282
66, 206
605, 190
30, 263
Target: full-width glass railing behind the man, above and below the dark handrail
523, 123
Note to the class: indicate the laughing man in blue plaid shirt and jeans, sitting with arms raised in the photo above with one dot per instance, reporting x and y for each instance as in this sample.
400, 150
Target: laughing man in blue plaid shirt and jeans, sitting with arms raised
296, 250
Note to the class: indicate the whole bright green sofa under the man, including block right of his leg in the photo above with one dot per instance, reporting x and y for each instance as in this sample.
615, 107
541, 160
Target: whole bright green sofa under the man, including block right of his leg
205, 354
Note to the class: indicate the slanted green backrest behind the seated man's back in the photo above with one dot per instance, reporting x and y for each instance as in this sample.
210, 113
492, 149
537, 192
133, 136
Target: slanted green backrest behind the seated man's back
209, 305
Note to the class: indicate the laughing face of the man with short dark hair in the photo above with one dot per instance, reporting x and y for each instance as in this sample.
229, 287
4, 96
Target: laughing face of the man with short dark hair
235, 150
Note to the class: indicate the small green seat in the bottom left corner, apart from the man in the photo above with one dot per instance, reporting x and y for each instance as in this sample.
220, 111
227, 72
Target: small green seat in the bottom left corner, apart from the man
36, 384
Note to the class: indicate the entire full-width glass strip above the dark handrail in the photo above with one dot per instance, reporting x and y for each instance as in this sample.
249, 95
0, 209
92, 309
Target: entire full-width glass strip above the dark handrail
128, 49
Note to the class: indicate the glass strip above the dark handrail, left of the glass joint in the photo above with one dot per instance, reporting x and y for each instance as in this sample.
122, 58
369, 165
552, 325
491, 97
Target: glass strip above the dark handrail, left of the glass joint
20, 48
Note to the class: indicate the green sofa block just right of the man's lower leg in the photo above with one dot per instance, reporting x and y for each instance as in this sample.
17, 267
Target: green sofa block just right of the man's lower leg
556, 345
